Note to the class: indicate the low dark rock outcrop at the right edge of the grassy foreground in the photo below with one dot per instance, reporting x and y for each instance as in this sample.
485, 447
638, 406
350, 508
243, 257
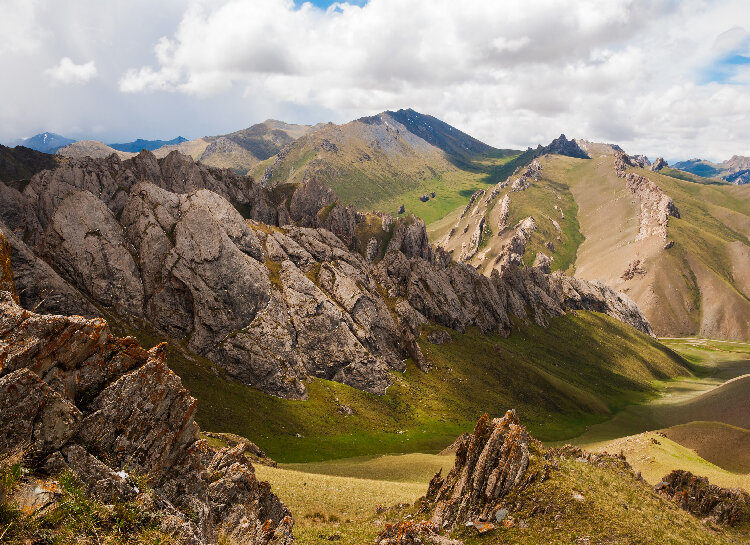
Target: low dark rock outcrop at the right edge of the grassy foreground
699, 497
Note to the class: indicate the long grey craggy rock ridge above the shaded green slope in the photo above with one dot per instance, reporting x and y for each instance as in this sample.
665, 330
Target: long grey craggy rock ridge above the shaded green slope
297, 286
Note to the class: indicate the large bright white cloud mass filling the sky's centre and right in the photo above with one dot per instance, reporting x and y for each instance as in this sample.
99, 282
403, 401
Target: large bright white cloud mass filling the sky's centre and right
511, 73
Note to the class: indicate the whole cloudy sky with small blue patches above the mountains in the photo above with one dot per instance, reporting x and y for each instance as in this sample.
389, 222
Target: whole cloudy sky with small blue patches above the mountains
660, 77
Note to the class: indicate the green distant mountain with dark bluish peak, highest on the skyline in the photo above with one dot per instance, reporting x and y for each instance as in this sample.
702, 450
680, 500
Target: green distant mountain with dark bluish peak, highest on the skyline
388, 160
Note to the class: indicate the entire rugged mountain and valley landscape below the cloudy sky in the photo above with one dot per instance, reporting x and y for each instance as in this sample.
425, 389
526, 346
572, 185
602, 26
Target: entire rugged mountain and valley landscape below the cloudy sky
384, 331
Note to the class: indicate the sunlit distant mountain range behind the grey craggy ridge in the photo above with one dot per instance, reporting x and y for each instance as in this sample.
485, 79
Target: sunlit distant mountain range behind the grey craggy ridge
686, 271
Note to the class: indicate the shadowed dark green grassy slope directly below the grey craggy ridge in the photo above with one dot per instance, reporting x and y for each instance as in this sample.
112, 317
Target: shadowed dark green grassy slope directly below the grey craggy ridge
558, 387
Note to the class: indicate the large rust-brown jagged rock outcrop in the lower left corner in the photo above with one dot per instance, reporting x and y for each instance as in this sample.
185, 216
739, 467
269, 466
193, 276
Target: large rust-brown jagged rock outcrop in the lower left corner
75, 397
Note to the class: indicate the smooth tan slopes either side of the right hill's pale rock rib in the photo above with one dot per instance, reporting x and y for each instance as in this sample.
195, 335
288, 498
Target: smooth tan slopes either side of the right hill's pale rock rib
695, 287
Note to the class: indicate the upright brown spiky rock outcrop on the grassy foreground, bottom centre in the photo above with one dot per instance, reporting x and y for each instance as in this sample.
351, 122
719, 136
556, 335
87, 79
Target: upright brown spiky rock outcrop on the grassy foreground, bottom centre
490, 463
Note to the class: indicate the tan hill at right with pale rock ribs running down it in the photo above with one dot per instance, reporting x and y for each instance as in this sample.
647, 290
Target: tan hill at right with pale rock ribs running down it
678, 247
